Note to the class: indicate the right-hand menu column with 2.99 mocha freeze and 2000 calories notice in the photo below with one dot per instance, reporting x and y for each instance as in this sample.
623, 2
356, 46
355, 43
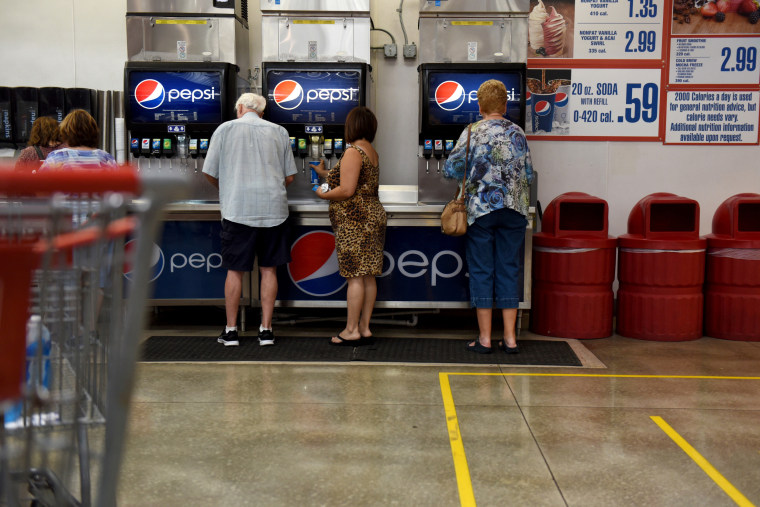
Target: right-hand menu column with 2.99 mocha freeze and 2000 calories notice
713, 74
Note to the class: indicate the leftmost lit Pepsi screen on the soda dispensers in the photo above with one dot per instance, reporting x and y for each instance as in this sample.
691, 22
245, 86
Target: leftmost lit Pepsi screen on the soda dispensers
176, 96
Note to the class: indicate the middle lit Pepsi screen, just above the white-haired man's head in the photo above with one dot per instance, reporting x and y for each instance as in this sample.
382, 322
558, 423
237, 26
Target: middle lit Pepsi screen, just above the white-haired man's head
325, 97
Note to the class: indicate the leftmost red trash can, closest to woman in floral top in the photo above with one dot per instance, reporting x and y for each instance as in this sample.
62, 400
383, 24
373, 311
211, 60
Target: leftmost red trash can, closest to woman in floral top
573, 269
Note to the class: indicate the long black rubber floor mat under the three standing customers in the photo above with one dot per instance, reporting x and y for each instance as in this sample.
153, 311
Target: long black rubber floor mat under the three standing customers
384, 350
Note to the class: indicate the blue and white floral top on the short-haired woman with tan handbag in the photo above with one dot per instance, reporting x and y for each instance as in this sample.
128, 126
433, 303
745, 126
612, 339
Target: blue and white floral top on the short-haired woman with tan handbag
500, 169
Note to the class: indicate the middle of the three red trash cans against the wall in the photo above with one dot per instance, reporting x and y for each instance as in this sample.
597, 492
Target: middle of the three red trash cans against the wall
661, 270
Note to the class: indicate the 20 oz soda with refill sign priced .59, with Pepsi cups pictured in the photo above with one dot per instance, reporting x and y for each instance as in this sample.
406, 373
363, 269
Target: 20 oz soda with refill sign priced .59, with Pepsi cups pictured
602, 103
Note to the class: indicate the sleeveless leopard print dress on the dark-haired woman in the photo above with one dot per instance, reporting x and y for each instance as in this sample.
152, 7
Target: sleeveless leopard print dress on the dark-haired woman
359, 222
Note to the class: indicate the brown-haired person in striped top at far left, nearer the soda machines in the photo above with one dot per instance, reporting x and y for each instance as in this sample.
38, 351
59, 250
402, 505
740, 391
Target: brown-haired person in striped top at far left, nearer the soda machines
80, 134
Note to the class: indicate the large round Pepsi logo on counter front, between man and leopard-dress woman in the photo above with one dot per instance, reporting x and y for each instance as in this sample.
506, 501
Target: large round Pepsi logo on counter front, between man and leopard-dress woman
314, 265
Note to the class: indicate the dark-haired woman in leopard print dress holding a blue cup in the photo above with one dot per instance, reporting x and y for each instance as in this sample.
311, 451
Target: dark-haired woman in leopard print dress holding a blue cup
358, 220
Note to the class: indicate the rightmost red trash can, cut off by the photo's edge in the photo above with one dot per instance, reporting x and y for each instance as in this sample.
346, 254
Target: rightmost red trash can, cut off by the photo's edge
732, 283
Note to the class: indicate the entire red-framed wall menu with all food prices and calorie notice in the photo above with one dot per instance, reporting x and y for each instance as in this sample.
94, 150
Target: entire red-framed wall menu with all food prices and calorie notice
669, 71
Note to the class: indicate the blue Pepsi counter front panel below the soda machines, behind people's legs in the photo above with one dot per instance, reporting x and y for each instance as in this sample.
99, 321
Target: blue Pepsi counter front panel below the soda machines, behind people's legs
422, 268
